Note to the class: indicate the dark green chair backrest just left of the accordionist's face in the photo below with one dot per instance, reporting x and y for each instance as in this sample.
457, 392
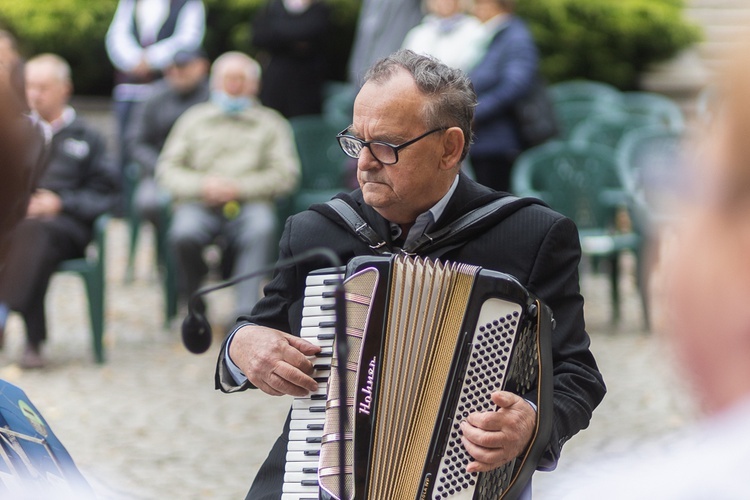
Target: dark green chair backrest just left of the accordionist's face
323, 162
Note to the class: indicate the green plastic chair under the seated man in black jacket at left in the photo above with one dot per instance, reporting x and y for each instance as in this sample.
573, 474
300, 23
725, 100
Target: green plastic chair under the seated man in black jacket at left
91, 269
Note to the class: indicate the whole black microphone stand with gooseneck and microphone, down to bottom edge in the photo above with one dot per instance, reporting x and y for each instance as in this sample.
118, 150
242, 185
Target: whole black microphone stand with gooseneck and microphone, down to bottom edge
196, 331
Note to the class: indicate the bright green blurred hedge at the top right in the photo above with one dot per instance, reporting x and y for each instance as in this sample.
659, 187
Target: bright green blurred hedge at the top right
612, 41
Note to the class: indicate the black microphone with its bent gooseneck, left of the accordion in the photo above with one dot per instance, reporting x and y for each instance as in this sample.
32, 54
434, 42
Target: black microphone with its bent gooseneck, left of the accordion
196, 331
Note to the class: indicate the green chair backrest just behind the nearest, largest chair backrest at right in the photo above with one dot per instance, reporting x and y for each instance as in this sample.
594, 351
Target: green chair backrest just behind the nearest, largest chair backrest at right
609, 129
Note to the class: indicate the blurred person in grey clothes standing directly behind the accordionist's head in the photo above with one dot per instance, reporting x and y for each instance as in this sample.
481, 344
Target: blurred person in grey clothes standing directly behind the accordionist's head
381, 28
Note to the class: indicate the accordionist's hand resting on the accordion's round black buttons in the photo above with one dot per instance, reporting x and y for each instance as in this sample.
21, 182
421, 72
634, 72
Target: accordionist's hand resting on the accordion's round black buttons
494, 438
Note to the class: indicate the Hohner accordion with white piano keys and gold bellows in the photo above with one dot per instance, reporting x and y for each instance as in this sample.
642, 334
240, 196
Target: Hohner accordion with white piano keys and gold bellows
428, 342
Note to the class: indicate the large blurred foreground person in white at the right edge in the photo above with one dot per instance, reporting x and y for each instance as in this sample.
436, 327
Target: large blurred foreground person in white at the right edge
702, 285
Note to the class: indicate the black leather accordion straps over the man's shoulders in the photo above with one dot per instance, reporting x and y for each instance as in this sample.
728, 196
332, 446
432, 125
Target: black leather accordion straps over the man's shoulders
437, 243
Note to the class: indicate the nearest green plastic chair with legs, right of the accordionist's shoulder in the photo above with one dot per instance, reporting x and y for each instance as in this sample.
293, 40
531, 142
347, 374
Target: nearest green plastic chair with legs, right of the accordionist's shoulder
580, 181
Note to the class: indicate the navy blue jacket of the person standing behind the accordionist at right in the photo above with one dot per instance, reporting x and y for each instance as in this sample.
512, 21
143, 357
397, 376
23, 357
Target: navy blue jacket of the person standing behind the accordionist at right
500, 78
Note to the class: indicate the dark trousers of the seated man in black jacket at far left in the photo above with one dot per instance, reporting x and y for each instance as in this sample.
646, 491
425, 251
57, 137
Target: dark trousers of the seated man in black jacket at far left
36, 248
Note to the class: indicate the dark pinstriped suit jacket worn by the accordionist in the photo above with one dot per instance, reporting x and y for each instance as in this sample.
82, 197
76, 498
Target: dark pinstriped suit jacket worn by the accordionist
535, 244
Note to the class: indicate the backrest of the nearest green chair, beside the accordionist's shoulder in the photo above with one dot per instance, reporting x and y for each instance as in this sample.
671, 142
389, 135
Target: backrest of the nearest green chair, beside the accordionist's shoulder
578, 180
